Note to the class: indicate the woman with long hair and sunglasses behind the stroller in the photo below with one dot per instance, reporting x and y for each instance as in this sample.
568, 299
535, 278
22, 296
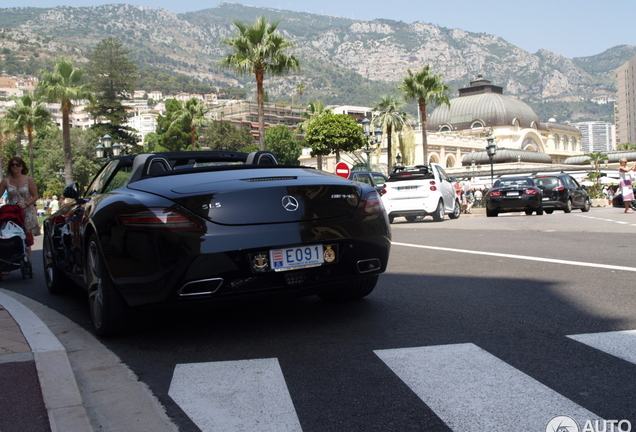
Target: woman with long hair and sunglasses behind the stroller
21, 191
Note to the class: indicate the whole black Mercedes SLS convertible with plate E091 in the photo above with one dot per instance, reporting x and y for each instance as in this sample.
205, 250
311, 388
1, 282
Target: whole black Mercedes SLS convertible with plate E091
174, 228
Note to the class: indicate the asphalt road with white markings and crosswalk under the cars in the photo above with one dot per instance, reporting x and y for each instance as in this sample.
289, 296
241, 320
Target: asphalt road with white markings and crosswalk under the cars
478, 324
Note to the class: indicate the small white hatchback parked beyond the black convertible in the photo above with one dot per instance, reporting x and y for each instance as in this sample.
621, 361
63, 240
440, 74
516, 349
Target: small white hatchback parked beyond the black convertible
420, 190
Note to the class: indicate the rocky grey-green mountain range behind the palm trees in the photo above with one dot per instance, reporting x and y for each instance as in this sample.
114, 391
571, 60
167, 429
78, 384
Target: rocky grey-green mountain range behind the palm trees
343, 61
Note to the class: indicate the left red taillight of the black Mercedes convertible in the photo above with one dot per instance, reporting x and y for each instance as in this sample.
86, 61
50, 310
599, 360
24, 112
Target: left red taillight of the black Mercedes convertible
157, 219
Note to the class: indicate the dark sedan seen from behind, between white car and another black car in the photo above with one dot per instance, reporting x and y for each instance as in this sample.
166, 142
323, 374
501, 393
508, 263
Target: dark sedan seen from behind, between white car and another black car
514, 194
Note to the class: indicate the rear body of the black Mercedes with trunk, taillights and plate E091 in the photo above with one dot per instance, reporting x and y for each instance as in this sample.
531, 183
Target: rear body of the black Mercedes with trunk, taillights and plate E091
198, 236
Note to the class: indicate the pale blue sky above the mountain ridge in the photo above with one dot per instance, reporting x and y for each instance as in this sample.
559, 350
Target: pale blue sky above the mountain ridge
572, 28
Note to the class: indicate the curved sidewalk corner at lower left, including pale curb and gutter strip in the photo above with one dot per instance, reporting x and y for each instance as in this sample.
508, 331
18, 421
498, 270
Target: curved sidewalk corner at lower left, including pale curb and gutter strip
57, 377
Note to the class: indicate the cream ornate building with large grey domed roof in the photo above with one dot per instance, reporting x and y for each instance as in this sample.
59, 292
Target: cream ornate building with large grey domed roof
482, 110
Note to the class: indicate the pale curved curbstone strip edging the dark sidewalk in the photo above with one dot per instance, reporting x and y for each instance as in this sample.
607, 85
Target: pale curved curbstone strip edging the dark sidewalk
62, 398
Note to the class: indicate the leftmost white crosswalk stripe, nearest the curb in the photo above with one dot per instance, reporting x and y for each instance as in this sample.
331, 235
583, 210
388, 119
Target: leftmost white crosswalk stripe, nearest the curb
245, 395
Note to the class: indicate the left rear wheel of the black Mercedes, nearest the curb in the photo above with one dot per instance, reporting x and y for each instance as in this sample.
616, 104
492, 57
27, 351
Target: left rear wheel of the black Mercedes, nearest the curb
109, 312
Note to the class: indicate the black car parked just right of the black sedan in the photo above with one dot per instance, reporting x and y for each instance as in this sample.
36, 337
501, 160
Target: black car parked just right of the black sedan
562, 192
